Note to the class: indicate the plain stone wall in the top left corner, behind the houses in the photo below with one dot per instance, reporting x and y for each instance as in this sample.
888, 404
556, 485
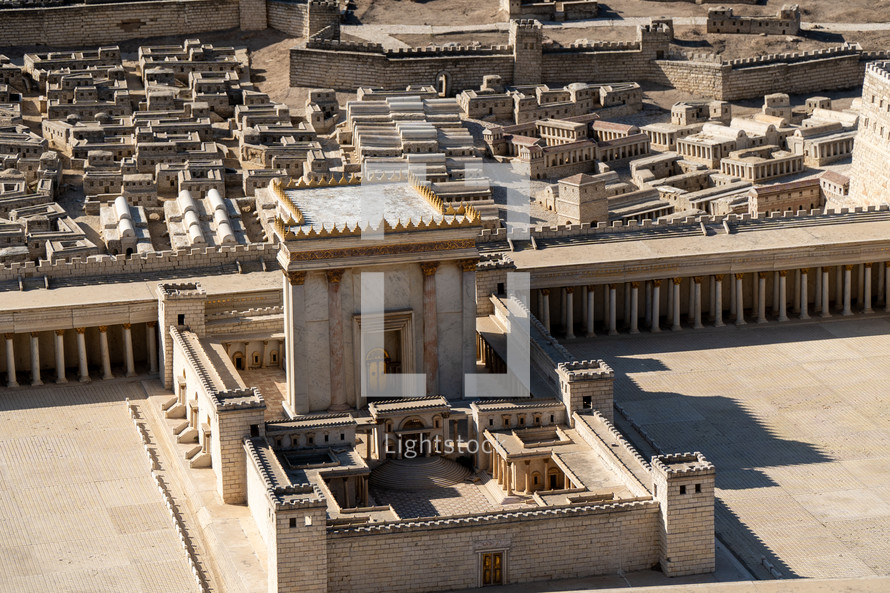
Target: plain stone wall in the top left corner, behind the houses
96, 24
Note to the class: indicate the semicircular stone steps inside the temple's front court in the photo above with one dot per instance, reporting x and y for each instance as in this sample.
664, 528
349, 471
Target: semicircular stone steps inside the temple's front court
421, 473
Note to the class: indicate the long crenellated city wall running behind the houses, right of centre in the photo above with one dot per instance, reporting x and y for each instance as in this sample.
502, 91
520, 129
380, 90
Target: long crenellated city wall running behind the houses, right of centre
347, 66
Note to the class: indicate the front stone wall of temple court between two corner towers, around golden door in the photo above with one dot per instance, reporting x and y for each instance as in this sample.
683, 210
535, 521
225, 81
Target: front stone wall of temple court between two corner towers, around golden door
538, 545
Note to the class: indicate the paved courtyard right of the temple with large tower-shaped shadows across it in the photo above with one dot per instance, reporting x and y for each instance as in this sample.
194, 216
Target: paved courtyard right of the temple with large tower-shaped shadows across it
796, 417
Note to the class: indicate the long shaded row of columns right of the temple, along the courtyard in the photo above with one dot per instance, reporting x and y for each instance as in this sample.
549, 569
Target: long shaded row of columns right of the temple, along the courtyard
676, 303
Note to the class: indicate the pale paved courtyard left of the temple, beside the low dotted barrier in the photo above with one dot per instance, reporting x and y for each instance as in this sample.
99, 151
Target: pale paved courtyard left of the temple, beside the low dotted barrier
80, 510
